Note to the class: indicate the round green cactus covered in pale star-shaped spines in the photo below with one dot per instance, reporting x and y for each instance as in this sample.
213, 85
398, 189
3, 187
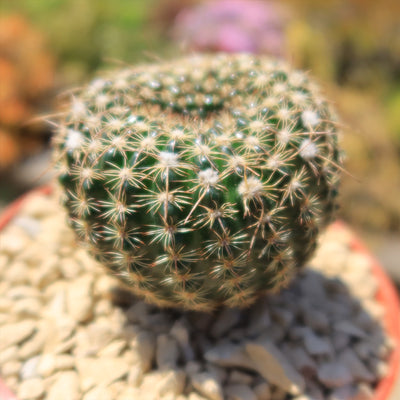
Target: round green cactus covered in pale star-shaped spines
202, 181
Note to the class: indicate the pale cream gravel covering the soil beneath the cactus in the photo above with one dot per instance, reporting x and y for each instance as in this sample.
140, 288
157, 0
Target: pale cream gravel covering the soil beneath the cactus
69, 331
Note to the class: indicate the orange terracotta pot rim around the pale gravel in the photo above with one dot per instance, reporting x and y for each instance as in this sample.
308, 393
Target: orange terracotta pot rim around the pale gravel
386, 295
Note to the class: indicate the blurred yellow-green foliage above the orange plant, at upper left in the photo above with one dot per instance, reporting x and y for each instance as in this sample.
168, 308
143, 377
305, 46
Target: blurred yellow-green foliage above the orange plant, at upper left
84, 35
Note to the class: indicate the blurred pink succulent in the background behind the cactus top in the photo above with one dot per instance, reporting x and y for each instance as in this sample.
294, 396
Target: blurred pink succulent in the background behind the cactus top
232, 26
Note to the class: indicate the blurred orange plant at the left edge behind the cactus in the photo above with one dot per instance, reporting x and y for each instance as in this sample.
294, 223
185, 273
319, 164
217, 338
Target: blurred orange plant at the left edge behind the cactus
26, 74
